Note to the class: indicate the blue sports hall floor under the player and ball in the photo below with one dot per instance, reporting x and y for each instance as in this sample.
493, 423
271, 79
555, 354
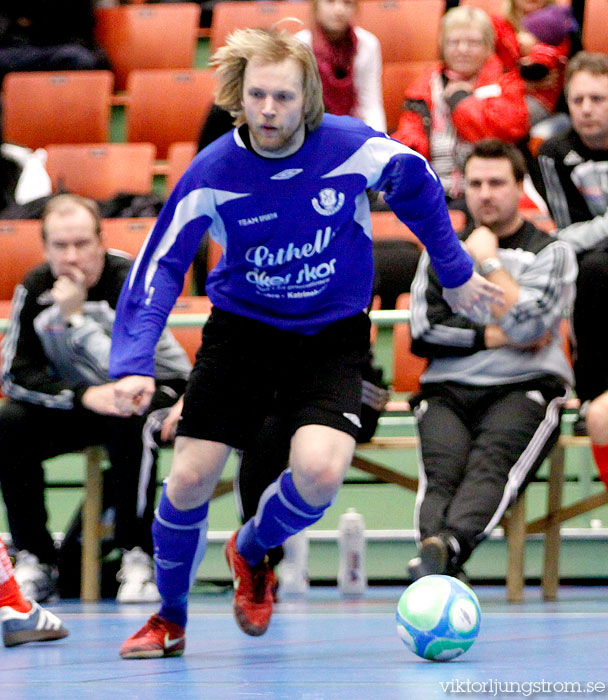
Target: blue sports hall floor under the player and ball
323, 648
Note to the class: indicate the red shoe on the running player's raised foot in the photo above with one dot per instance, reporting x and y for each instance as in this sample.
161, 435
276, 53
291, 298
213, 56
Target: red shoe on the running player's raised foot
253, 591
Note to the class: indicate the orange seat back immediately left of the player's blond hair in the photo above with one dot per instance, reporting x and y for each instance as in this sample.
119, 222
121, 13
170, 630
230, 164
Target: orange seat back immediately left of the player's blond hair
166, 106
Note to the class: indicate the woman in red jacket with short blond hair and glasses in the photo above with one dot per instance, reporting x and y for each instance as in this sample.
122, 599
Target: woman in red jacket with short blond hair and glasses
467, 97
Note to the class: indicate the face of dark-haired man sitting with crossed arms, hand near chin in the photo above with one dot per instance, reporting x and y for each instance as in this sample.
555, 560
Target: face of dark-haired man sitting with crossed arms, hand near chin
492, 193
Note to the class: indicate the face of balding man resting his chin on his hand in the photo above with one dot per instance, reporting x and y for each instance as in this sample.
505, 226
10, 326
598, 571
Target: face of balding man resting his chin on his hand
72, 242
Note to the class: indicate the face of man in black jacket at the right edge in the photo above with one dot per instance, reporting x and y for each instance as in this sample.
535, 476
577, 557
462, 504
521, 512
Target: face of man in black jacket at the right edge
588, 104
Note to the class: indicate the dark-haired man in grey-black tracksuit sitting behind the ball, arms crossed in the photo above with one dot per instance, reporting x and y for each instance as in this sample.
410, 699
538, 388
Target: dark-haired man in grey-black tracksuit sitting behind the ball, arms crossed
489, 408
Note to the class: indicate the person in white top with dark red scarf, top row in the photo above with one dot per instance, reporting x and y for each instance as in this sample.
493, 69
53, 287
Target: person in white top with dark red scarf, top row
349, 61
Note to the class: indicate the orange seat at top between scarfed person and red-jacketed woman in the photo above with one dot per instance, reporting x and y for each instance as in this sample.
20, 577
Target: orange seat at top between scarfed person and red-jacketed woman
408, 30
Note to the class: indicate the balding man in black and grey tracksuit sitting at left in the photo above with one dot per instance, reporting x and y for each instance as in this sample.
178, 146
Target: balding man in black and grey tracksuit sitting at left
55, 374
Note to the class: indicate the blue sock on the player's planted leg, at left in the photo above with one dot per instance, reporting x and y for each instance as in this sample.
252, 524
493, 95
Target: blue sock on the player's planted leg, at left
180, 539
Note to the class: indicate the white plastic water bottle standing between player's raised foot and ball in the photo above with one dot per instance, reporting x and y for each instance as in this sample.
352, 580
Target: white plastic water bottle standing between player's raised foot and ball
352, 579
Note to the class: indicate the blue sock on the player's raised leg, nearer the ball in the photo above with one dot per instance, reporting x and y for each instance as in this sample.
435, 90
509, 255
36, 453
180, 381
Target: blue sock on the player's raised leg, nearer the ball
281, 513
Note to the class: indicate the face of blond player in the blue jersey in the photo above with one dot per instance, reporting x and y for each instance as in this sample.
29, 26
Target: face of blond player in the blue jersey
273, 101
